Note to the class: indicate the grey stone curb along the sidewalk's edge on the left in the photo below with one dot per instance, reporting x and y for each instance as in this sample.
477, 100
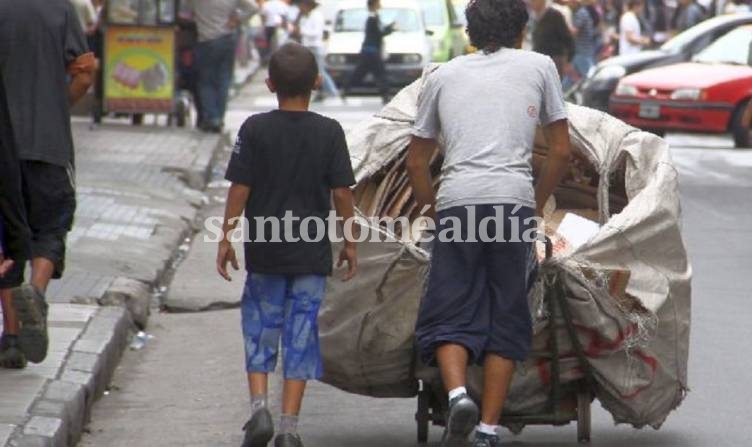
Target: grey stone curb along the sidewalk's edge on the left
59, 414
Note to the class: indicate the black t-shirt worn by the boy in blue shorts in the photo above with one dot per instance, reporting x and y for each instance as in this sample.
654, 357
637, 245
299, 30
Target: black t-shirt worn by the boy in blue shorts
291, 161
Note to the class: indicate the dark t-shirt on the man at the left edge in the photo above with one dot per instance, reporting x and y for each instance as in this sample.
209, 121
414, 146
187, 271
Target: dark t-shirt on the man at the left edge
38, 40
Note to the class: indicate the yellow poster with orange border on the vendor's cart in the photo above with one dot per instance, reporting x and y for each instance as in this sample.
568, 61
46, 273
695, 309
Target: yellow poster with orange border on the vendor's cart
139, 69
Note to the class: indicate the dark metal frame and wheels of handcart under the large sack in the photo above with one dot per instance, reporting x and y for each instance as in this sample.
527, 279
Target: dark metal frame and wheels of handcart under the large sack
566, 403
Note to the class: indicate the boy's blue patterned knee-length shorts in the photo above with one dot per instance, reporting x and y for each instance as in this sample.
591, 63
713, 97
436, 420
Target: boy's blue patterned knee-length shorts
283, 306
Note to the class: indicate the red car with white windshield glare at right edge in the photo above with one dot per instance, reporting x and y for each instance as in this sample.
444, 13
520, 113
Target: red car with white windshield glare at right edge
709, 94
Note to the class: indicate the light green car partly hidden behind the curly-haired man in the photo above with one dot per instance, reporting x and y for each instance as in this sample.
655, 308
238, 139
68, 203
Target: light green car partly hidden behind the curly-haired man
448, 37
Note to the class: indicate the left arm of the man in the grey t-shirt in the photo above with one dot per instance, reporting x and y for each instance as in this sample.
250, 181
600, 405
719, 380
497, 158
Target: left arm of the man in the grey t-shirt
418, 164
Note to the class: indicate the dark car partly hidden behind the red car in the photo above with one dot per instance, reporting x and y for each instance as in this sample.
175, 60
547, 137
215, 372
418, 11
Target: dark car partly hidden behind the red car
603, 79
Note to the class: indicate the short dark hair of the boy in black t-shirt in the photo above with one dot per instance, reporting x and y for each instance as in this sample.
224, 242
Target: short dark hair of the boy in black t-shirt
293, 70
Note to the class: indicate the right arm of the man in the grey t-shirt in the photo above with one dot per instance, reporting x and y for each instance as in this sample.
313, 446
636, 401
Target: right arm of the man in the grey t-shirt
556, 164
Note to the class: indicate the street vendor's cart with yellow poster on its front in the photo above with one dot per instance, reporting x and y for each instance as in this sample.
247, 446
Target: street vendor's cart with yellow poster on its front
140, 69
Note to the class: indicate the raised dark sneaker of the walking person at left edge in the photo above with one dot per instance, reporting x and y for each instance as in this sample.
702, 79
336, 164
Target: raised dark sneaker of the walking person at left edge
31, 309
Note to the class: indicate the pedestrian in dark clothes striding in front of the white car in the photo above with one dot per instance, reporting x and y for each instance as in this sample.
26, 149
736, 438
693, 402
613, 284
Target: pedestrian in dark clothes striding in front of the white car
371, 59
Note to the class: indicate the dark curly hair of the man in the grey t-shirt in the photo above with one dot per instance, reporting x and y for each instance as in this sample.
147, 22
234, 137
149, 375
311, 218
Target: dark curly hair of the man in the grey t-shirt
493, 24
